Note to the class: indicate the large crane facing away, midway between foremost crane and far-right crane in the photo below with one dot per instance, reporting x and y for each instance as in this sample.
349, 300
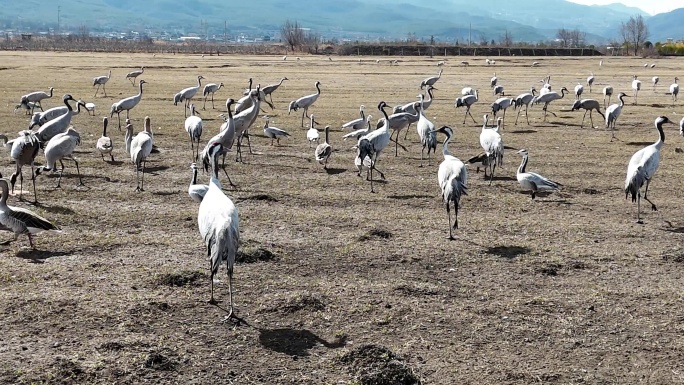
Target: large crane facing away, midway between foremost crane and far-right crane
452, 177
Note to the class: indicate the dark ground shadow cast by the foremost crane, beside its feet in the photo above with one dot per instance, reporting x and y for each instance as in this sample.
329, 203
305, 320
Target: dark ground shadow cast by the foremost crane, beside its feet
295, 342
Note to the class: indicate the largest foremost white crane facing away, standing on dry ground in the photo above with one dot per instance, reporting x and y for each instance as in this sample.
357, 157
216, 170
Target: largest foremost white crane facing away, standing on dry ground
219, 226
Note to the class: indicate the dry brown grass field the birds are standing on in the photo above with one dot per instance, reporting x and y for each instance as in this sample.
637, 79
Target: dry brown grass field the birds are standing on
564, 289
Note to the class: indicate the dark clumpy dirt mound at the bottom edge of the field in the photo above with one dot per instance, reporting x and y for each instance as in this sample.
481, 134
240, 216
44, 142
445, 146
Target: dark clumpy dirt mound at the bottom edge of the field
377, 365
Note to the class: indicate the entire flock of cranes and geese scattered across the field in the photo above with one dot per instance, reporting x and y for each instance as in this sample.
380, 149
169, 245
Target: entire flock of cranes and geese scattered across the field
218, 218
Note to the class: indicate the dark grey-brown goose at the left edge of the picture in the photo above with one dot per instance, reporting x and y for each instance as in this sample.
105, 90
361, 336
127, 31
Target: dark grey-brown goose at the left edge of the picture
19, 220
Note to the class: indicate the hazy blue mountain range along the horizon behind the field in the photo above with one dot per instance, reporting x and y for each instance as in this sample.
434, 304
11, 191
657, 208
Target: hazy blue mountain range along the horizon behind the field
525, 20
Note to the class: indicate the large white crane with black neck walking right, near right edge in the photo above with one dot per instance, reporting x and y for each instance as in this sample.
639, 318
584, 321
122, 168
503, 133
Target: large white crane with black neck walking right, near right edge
642, 166
